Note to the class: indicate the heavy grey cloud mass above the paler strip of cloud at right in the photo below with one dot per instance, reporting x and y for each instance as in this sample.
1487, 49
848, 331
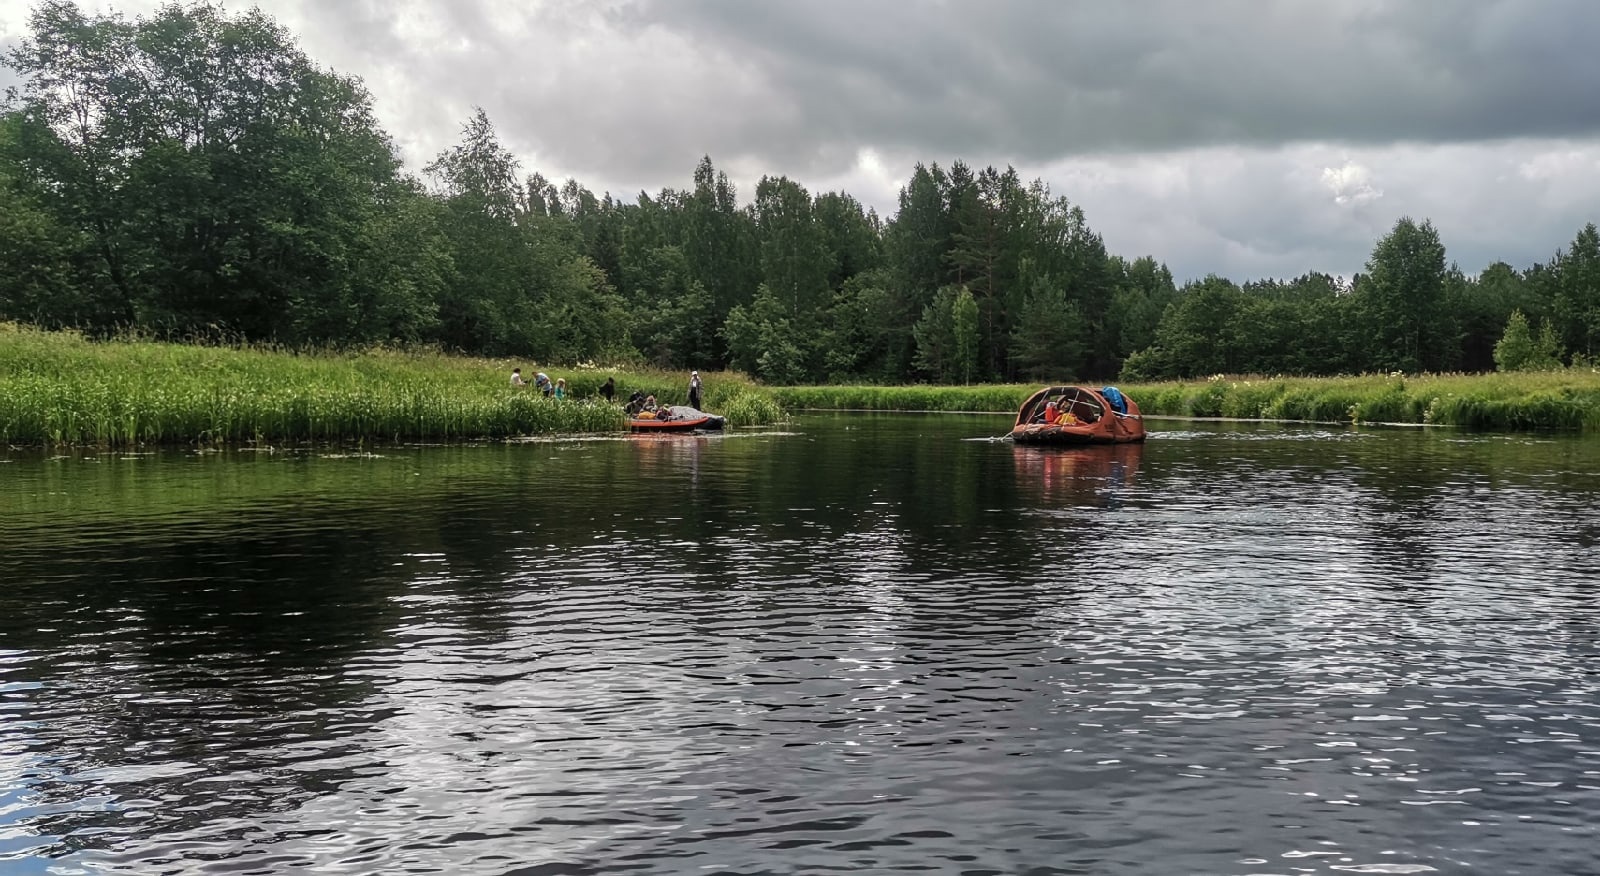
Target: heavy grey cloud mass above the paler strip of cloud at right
641, 89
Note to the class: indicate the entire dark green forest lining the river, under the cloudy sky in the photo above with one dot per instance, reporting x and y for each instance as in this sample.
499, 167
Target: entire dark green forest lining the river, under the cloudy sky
193, 175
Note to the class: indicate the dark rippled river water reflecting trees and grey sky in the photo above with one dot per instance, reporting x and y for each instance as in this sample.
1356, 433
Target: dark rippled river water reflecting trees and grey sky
860, 643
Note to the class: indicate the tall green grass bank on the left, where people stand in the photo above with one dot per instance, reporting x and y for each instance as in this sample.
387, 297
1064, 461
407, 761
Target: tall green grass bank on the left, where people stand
60, 389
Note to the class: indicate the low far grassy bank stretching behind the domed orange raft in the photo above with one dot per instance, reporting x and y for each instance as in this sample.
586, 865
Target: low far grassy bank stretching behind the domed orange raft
1569, 400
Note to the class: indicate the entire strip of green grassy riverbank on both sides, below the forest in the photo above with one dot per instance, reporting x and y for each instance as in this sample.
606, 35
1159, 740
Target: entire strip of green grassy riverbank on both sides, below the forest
58, 389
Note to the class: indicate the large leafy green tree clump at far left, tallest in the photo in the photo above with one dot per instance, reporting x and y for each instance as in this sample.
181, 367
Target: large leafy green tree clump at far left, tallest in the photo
209, 193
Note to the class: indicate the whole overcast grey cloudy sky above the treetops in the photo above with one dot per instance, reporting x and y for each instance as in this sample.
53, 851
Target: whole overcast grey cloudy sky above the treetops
1247, 138
